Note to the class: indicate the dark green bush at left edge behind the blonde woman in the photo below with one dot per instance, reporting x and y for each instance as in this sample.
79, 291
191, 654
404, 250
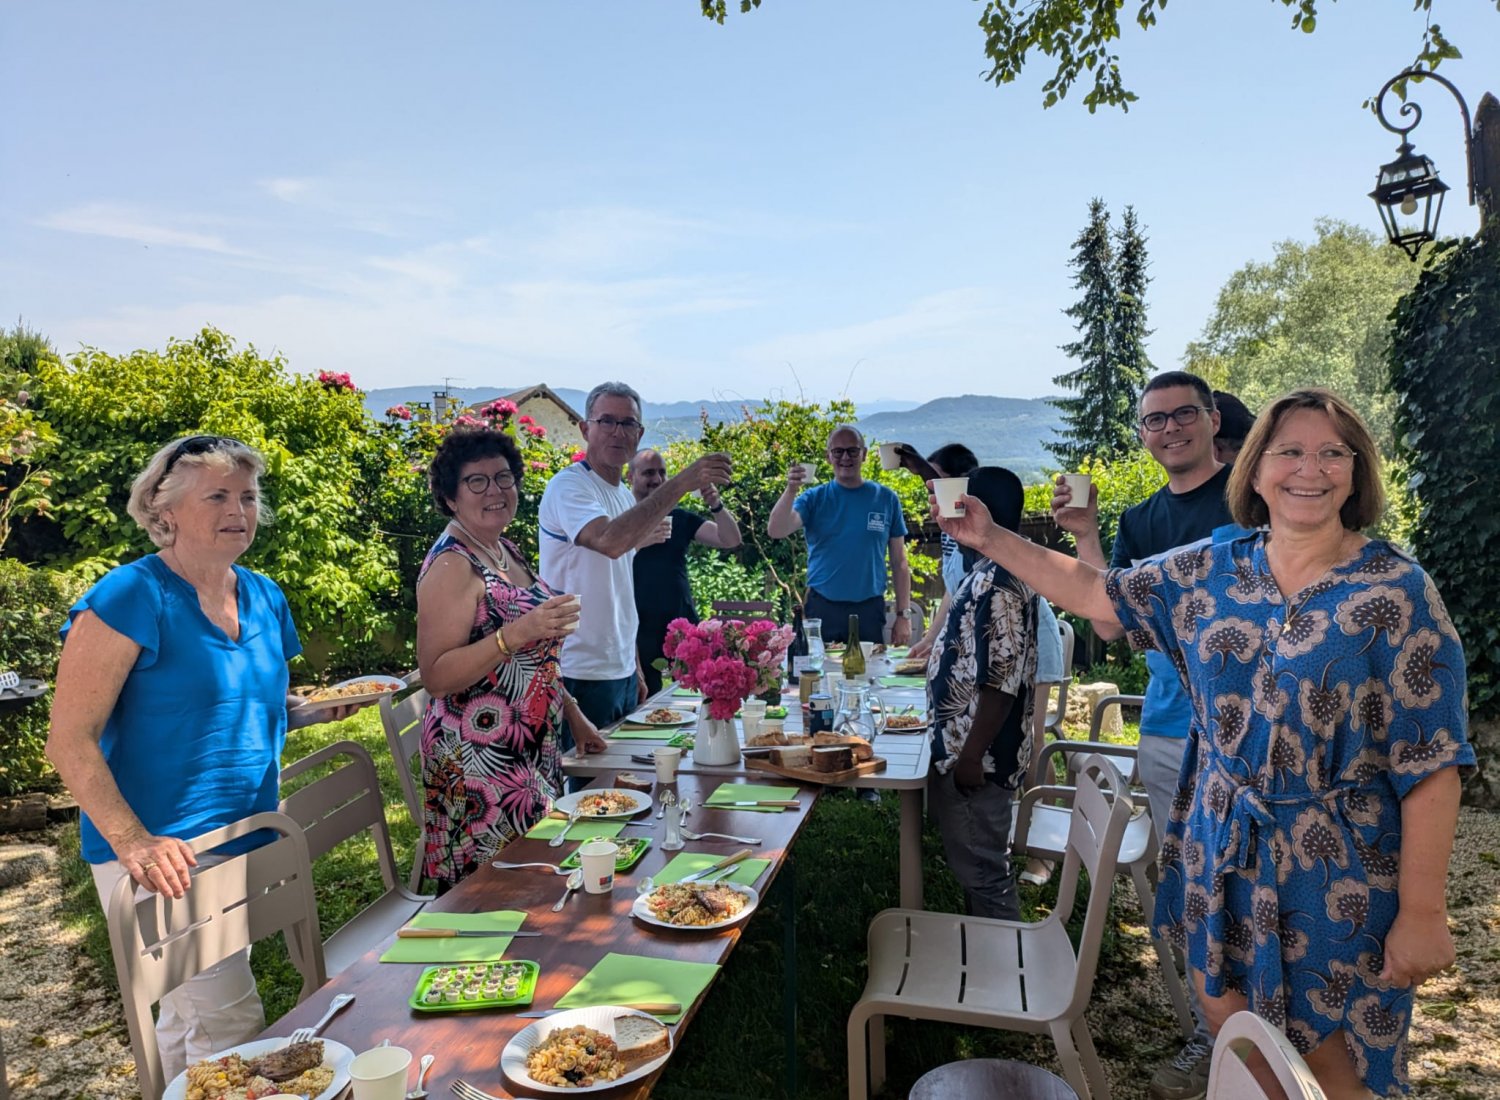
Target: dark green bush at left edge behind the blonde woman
34, 604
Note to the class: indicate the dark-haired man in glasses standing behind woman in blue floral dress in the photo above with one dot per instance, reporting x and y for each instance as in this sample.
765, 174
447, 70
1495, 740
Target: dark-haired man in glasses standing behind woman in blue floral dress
1178, 422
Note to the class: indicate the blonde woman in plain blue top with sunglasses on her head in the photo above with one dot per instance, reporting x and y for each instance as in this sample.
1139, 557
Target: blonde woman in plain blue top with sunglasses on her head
172, 709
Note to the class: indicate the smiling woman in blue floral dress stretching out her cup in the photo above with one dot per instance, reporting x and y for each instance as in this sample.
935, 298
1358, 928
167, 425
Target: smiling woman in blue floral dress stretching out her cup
1309, 844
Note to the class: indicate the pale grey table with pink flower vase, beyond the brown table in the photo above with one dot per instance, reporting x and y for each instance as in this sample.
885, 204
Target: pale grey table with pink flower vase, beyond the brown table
908, 762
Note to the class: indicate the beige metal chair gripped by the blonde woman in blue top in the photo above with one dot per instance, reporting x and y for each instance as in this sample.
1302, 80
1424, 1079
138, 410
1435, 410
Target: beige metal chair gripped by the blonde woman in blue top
160, 942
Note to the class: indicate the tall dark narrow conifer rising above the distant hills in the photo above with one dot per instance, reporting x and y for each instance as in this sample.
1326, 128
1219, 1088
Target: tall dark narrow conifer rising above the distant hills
1102, 415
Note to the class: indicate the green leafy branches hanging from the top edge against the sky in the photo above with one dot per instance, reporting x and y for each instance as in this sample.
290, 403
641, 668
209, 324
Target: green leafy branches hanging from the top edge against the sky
1081, 35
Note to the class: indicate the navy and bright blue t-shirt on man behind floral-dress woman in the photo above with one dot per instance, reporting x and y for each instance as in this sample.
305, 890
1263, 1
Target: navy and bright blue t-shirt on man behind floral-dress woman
1165, 521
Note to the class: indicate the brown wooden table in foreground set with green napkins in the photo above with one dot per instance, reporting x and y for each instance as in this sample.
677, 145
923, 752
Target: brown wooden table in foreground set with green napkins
469, 1045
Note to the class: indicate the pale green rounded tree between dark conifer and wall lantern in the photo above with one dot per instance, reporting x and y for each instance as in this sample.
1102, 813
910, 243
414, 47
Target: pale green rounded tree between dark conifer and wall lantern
1315, 314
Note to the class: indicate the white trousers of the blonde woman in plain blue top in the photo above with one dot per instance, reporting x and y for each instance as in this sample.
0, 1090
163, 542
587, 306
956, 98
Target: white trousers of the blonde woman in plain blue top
211, 1012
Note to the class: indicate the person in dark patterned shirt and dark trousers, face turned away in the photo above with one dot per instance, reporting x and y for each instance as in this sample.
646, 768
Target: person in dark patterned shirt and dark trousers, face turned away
980, 679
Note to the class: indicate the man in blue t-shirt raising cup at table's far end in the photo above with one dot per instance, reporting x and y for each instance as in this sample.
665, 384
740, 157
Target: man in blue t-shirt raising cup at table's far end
853, 526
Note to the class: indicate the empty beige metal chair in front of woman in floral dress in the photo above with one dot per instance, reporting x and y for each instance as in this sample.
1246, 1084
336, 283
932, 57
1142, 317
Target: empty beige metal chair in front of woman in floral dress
1000, 973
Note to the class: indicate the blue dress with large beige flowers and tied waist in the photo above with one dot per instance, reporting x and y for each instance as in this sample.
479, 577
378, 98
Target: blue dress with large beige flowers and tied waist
1312, 720
